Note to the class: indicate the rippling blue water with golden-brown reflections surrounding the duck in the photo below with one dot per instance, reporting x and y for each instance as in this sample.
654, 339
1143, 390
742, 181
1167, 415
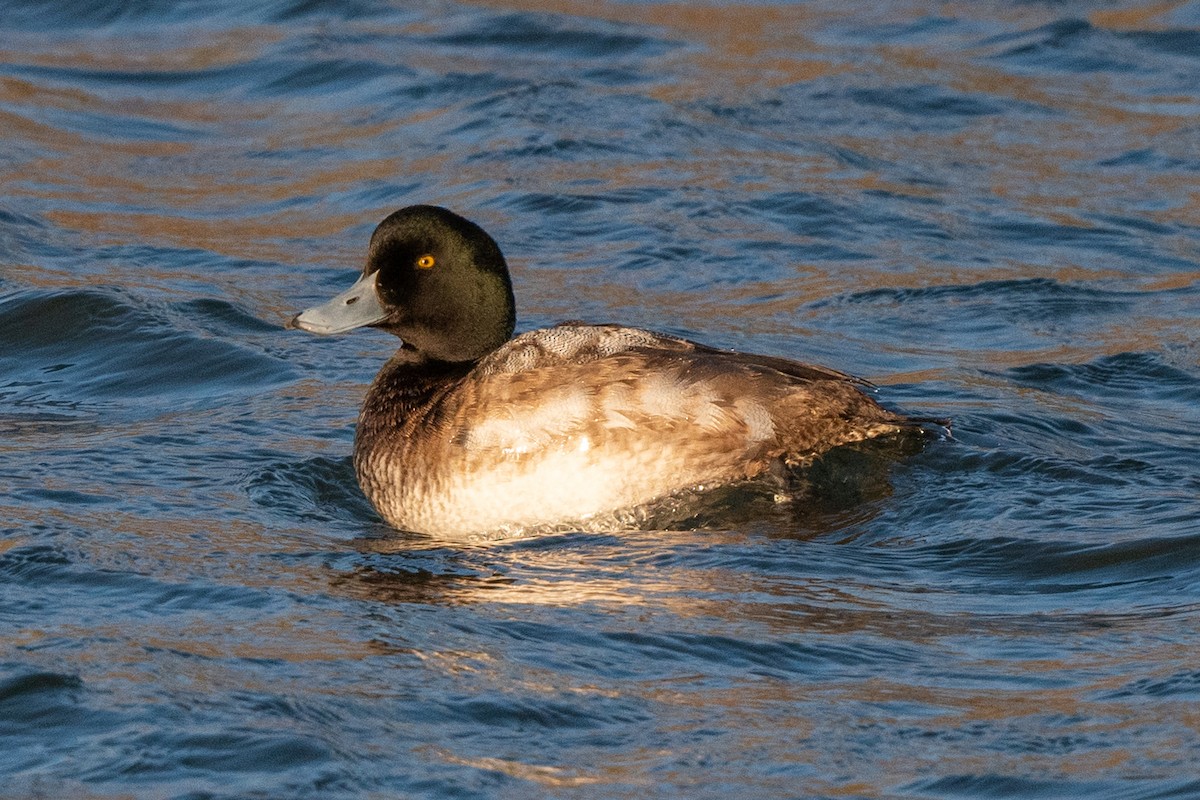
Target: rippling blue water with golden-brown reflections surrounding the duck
988, 209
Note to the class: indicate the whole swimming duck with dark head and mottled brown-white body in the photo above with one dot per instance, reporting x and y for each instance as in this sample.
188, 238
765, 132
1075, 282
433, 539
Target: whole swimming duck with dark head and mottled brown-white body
472, 432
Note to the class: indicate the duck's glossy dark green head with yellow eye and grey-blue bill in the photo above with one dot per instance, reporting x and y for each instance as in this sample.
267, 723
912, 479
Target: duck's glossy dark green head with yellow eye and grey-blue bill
435, 280
